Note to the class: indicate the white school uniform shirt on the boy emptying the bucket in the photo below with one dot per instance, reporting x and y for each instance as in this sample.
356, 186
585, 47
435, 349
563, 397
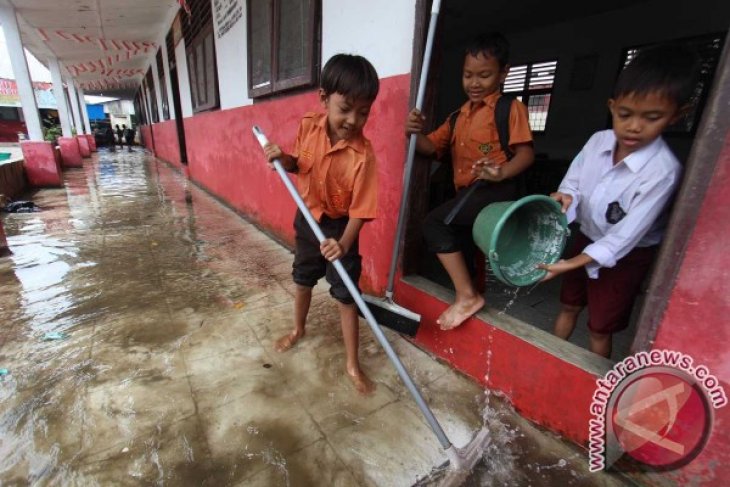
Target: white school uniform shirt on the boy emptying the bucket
641, 184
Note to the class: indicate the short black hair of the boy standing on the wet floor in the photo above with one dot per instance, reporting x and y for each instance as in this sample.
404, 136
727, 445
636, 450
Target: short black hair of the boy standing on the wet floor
351, 76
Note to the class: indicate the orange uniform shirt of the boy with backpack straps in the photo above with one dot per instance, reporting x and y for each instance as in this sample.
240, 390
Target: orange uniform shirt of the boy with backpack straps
475, 136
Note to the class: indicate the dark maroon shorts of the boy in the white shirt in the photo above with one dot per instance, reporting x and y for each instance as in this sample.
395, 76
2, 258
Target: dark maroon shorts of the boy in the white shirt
611, 297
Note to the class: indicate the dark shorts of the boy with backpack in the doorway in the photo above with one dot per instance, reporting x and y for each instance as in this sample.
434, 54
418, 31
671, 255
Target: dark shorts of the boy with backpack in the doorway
456, 237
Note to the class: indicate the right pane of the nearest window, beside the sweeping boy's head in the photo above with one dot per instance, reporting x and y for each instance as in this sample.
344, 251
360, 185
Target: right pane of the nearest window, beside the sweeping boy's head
294, 40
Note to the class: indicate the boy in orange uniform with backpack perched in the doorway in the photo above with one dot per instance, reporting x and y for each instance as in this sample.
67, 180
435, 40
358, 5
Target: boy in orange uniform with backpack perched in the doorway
476, 154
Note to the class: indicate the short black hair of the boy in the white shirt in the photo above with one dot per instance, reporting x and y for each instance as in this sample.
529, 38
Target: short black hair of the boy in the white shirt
670, 70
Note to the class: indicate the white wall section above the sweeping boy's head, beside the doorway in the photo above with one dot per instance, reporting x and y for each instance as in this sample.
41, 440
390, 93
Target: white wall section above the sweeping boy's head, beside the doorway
380, 30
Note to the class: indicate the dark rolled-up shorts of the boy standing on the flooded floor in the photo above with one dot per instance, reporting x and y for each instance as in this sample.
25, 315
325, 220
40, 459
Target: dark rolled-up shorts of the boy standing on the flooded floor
309, 264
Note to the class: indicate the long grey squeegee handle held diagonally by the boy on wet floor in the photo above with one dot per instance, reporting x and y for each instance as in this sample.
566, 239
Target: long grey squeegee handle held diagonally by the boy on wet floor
428, 414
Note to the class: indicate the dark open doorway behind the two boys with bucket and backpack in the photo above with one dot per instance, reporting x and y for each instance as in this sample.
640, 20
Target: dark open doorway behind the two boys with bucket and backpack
579, 50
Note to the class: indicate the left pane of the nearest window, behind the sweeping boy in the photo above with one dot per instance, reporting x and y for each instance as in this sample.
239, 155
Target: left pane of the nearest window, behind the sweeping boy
260, 48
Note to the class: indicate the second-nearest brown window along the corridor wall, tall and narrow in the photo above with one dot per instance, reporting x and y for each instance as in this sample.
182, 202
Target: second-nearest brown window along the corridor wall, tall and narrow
200, 51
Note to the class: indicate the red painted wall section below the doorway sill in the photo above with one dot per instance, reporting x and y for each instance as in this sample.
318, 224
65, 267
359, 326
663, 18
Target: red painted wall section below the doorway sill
540, 386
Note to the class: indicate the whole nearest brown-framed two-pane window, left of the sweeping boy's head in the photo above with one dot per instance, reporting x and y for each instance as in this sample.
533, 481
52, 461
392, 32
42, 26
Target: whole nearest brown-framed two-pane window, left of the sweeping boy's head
283, 45
